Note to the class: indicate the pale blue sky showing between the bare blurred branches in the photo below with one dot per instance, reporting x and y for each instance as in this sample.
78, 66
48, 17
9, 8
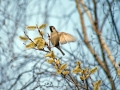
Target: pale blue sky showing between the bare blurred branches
60, 13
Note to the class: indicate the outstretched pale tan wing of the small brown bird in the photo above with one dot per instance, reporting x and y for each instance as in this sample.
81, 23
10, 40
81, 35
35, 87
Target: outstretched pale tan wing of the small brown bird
65, 37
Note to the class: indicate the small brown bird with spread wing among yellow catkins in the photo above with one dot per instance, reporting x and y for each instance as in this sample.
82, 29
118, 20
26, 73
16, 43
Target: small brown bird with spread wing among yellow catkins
60, 37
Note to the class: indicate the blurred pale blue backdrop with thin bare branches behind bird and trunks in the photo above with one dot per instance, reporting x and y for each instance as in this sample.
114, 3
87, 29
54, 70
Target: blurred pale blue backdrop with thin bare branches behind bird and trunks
27, 69
